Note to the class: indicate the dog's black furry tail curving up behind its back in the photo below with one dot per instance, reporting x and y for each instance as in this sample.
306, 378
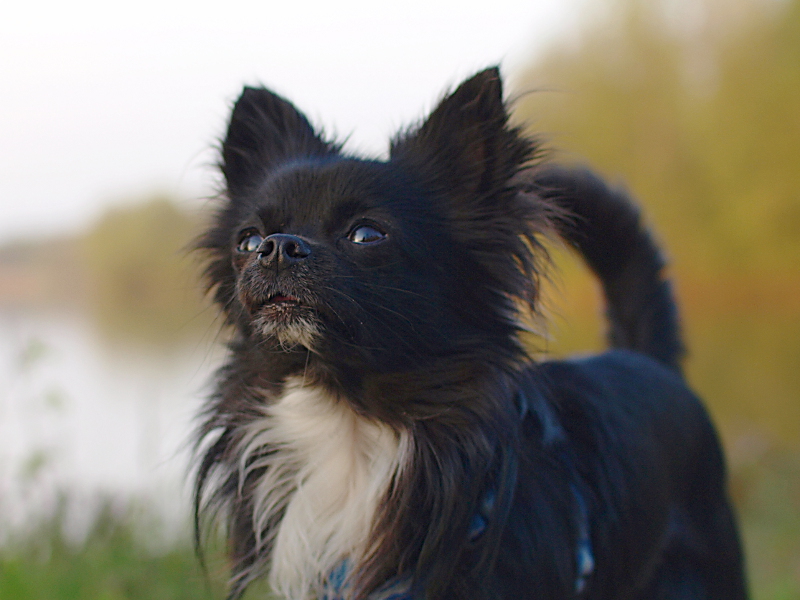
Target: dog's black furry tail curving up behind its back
606, 228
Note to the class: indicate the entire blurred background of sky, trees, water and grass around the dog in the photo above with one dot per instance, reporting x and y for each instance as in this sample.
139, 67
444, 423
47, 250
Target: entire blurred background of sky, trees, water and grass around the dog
109, 120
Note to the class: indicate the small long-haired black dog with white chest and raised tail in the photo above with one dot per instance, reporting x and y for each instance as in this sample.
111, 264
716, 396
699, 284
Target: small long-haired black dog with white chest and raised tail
379, 430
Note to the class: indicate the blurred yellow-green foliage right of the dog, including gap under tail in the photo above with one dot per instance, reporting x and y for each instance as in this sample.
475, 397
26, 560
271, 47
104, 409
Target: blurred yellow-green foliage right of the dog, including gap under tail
694, 107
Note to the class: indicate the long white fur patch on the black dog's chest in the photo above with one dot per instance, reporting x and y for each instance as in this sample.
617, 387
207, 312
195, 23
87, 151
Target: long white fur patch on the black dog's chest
327, 469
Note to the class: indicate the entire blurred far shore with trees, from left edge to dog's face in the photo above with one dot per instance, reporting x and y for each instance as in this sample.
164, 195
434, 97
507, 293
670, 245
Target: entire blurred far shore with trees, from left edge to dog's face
133, 271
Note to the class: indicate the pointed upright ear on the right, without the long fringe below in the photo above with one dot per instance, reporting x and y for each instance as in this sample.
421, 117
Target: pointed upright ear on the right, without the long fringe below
466, 140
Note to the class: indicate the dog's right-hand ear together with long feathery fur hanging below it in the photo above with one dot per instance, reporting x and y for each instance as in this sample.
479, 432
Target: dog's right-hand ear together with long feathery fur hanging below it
467, 153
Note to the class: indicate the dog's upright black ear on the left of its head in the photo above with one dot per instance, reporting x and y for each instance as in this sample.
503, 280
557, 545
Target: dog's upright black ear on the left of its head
265, 130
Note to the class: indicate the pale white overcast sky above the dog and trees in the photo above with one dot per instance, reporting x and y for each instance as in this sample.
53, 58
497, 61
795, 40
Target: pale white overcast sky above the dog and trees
104, 103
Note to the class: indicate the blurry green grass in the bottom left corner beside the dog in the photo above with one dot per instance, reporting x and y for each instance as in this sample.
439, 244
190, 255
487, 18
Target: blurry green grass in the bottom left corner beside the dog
115, 561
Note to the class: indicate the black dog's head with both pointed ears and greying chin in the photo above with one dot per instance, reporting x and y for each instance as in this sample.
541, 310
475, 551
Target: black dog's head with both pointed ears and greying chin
377, 266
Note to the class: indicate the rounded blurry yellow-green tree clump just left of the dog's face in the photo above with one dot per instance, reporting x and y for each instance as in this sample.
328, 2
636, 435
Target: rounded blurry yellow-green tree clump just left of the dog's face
142, 274
